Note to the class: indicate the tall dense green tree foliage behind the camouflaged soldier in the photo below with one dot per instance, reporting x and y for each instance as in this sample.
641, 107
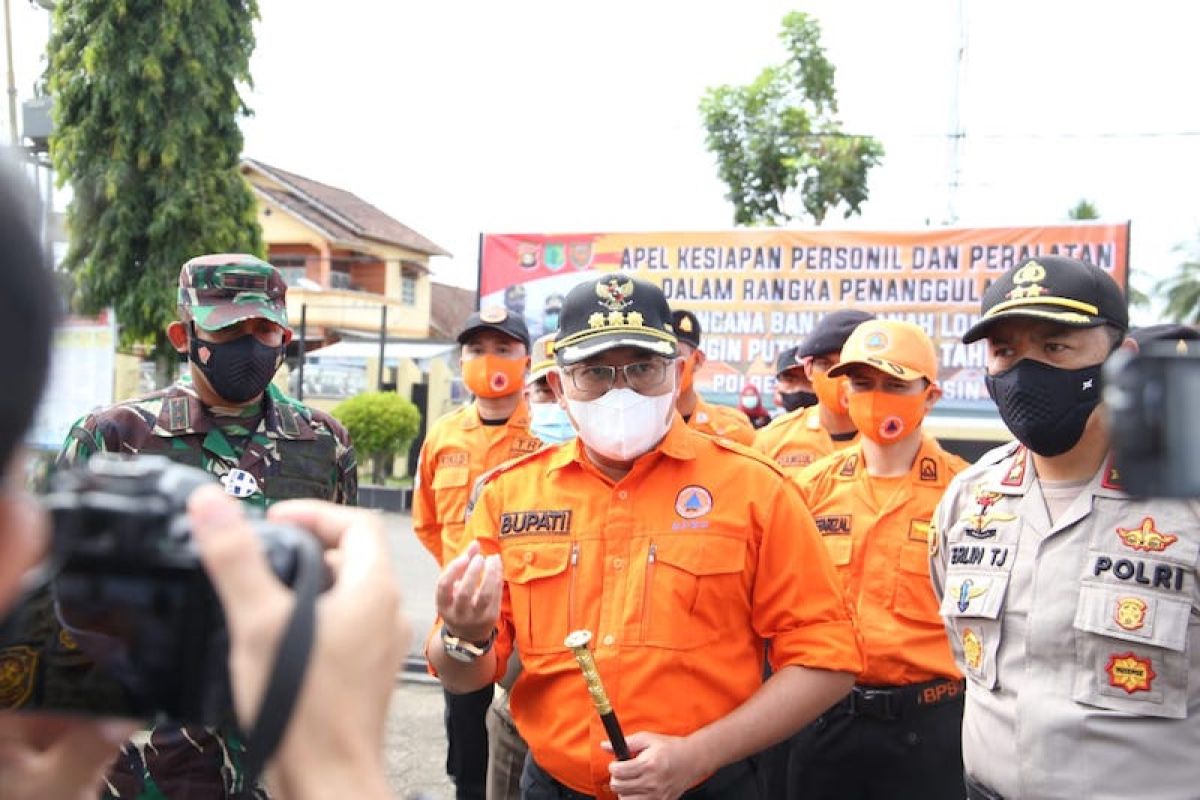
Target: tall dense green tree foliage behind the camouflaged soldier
147, 103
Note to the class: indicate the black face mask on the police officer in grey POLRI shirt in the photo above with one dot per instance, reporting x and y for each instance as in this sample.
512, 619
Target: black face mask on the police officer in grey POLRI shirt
1046, 407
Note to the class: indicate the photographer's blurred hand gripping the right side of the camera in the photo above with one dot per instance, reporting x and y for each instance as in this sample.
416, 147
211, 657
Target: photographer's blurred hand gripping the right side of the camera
334, 744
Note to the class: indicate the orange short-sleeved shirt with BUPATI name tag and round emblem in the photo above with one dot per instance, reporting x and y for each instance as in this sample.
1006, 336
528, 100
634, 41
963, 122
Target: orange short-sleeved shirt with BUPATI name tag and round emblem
681, 572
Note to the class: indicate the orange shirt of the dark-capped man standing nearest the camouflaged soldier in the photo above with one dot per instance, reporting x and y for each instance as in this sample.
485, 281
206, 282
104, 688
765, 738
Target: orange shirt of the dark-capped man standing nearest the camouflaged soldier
458, 450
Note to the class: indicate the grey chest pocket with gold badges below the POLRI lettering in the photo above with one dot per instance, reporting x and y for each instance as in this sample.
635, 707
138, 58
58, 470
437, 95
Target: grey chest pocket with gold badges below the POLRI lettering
1132, 651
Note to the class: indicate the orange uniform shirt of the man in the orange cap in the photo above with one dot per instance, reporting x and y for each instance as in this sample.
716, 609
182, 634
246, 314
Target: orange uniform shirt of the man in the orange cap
877, 532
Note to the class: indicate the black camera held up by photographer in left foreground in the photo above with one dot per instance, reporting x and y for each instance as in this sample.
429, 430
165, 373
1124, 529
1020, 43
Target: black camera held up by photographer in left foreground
127, 622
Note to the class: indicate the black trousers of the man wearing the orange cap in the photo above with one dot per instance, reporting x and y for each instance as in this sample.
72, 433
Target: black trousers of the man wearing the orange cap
847, 756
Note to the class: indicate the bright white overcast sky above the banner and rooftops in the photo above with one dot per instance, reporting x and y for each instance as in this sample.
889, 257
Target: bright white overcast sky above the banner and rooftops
563, 117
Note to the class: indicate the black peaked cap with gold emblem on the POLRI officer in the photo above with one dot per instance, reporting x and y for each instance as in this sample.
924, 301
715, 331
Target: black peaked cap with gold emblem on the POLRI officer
1058, 290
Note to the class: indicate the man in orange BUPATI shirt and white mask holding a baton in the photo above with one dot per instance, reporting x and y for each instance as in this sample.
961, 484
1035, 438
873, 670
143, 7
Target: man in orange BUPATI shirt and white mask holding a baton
681, 552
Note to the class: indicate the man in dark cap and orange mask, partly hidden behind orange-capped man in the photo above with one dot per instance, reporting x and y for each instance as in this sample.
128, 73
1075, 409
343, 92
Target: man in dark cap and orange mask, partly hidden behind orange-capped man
799, 438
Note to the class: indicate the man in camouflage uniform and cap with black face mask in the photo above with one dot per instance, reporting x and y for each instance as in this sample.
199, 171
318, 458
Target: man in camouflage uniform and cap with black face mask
227, 418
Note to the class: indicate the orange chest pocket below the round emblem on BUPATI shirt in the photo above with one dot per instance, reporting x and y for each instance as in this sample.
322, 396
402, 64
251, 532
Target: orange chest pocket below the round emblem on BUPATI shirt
693, 591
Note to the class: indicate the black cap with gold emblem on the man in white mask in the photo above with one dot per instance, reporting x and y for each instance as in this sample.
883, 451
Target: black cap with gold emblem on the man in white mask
610, 312
